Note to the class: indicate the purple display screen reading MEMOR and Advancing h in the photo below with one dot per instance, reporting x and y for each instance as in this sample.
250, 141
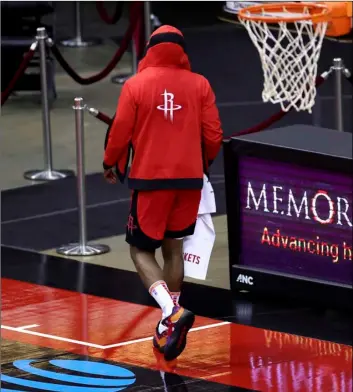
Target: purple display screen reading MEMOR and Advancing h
296, 220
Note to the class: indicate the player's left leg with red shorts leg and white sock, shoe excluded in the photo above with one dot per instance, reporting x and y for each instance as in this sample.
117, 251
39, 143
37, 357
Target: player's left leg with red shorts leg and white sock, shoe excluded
145, 231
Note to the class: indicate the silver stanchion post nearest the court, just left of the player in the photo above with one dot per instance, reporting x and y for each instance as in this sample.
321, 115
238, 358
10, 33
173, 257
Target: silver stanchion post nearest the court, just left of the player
82, 248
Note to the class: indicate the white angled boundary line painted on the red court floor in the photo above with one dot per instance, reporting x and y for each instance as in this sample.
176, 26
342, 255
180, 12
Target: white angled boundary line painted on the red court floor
87, 344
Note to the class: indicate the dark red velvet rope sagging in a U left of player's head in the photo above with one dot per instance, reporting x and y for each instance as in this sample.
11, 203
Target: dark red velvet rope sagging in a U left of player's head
136, 11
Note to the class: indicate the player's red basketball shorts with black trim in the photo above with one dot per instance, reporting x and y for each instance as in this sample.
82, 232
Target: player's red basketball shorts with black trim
155, 215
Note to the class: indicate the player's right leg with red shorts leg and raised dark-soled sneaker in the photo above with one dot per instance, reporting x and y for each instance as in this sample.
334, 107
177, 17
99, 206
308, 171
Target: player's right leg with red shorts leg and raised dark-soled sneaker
181, 223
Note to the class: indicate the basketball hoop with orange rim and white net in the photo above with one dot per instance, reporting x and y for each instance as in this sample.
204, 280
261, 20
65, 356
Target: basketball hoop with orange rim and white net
289, 52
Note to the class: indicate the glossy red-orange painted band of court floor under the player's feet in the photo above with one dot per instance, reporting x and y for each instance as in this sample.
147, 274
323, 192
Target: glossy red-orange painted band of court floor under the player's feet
218, 351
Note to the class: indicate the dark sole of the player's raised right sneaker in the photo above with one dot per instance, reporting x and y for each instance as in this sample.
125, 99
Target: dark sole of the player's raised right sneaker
177, 341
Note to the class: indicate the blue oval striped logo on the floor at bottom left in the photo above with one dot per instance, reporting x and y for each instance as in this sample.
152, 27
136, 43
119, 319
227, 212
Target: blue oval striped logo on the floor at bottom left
107, 378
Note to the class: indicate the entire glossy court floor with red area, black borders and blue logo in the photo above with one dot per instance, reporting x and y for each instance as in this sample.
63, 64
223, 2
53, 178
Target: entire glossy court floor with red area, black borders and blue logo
56, 312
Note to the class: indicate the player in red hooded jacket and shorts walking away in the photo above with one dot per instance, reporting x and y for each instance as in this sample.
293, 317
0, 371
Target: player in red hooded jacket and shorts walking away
167, 117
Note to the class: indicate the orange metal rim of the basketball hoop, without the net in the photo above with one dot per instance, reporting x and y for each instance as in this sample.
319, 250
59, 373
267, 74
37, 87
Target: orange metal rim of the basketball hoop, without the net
317, 12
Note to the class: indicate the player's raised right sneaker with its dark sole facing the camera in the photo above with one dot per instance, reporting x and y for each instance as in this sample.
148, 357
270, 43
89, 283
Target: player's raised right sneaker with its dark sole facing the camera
178, 323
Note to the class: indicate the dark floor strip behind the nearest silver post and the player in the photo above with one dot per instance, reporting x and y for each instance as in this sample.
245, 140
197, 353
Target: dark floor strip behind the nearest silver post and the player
45, 216
